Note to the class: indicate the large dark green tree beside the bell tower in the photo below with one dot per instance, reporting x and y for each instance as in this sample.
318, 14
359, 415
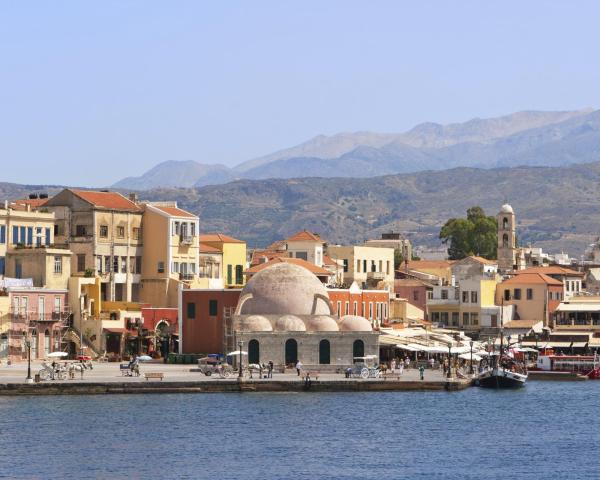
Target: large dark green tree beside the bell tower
474, 235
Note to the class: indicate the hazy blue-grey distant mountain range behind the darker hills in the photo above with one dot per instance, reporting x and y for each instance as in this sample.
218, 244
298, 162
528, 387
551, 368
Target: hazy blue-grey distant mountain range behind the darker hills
529, 138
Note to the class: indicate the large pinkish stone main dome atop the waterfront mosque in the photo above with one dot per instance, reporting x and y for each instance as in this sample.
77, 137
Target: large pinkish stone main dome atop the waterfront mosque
283, 289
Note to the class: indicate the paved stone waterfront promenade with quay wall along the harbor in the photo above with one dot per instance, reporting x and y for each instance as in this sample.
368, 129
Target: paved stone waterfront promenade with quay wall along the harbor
107, 378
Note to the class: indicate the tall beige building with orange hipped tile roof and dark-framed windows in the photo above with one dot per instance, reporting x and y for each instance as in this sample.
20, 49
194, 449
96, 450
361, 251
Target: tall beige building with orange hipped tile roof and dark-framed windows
104, 232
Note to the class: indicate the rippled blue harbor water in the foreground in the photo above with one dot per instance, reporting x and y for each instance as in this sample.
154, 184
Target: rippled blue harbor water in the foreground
546, 430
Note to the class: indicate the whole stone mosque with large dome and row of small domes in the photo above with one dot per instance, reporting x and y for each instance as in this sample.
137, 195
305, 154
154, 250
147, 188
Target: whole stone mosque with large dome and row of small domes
284, 315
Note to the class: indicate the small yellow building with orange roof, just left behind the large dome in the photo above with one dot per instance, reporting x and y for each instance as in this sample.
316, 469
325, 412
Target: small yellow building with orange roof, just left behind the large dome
234, 257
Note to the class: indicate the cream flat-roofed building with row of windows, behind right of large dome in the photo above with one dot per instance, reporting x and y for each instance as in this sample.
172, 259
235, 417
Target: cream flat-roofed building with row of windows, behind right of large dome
365, 265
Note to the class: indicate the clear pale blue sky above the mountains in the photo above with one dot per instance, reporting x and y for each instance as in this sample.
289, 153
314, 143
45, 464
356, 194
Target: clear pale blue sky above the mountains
91, 92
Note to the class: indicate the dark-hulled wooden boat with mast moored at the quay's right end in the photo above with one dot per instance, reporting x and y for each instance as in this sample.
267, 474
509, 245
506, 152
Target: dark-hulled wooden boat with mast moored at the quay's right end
503, 371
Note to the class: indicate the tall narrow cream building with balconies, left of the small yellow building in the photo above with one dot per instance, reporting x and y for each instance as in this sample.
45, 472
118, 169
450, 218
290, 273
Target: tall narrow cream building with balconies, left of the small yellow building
171, 253
